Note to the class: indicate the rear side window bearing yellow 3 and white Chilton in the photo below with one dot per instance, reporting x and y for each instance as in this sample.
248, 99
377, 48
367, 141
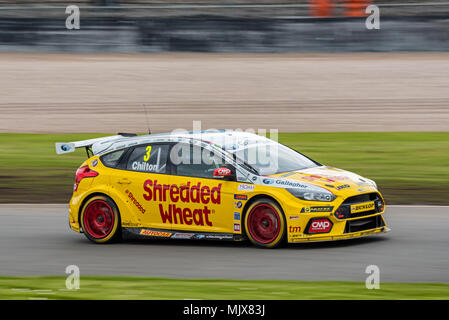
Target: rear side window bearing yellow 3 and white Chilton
148, 158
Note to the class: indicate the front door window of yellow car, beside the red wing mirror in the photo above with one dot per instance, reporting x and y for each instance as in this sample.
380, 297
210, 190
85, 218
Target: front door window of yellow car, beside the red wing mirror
194, 161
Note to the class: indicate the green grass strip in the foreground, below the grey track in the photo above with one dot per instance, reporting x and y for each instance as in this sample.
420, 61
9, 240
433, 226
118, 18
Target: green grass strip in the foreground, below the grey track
157, 288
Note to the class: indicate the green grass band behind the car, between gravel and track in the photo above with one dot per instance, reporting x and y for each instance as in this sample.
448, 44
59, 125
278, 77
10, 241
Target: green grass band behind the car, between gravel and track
409, 167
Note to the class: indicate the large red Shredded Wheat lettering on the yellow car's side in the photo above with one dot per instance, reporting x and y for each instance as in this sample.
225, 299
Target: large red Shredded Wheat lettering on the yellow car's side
185, 194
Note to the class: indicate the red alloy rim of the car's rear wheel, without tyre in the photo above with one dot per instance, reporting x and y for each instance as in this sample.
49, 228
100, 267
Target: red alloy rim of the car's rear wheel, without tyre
98, 219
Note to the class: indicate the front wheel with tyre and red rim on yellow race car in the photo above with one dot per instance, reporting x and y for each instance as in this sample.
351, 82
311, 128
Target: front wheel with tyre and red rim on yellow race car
265, 223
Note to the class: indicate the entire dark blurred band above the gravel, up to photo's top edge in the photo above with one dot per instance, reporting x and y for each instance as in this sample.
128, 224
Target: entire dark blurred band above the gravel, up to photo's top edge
224, 26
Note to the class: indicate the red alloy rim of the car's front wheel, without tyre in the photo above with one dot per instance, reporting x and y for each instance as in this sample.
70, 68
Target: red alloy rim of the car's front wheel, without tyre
264, 223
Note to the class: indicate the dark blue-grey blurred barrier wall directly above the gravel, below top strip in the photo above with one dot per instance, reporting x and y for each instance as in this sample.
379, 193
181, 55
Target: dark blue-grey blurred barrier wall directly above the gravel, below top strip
221, 34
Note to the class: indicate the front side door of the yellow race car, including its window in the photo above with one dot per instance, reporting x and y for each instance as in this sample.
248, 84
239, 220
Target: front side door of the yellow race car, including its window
200, 202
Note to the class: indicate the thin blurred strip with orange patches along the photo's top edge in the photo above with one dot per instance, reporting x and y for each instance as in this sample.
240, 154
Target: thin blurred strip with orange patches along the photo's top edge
232, 8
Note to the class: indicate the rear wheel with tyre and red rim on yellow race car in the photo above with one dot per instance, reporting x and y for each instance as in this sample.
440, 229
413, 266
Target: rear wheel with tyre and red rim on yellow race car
100, 220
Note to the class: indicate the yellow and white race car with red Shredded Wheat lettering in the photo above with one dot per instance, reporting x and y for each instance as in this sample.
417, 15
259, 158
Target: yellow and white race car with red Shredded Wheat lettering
219, 185
